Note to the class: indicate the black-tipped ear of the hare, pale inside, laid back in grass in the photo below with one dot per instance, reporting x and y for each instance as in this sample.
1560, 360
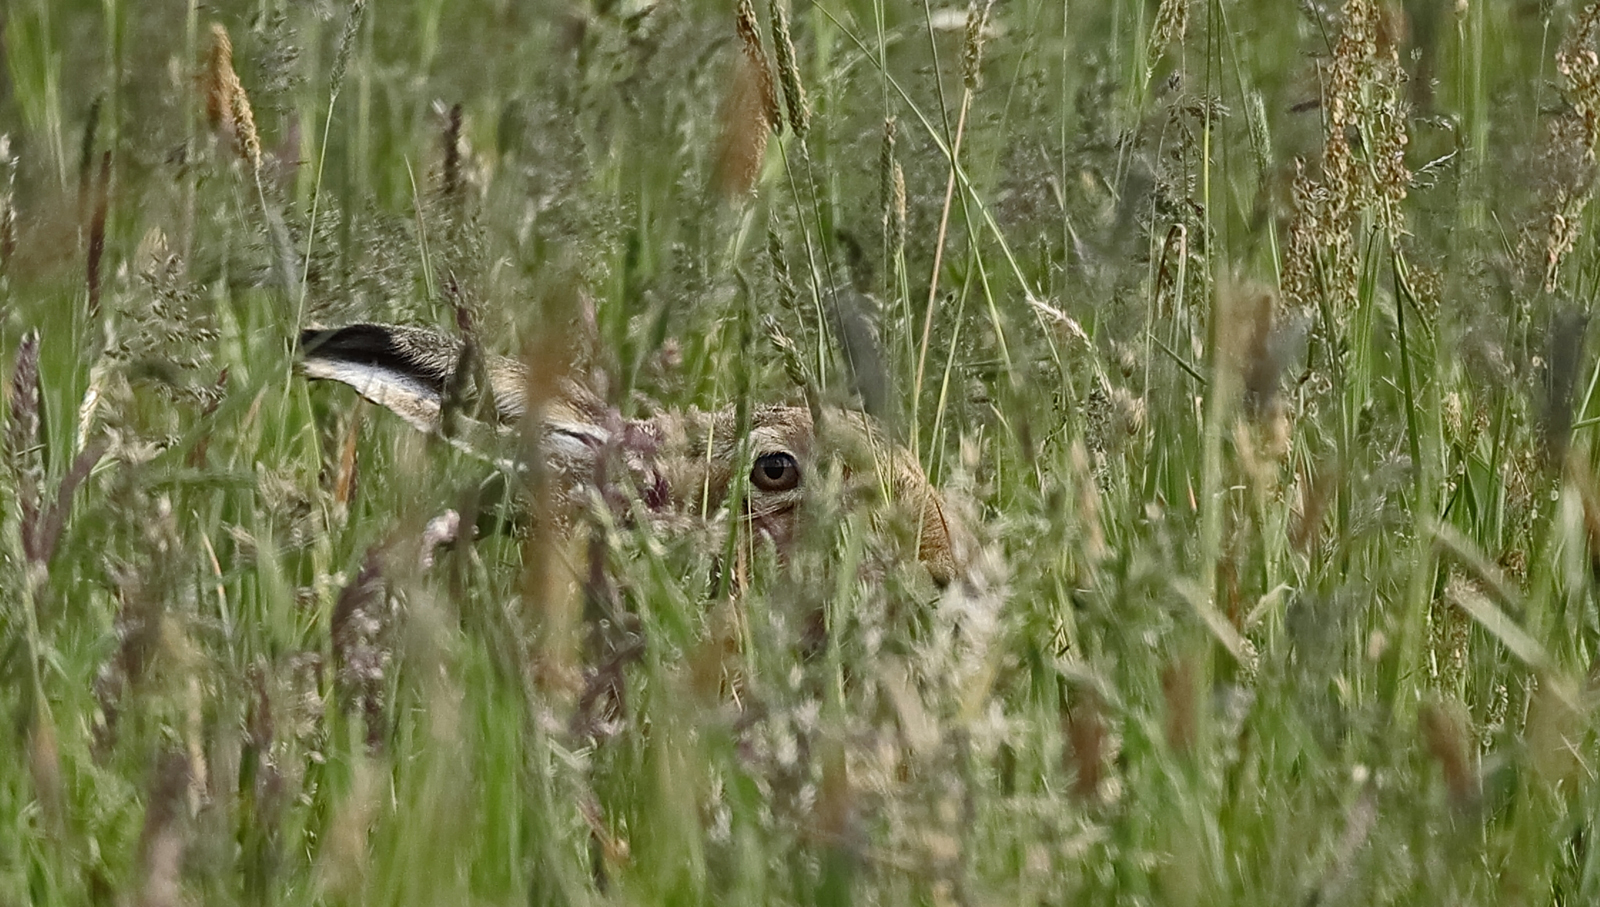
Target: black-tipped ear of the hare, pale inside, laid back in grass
399, 369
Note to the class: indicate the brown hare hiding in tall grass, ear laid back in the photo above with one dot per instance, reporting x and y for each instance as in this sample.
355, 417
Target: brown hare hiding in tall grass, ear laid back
682, 465
